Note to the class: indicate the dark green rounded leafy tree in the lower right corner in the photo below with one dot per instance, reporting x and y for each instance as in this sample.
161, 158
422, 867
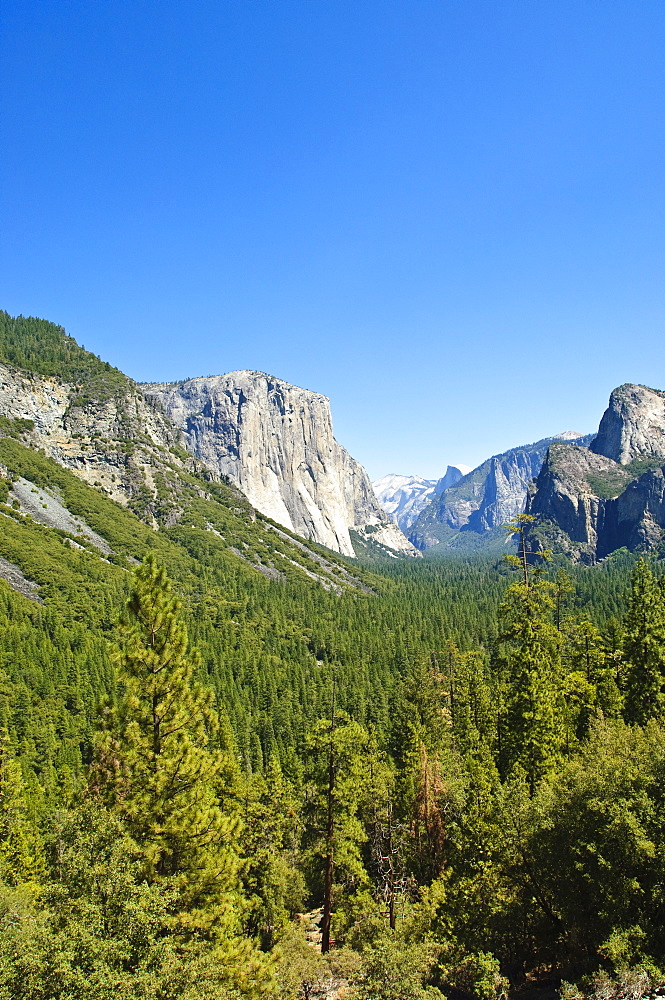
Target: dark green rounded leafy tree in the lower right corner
599, 848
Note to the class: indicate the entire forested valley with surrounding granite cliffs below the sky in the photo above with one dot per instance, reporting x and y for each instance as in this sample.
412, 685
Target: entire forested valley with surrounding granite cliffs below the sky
236, 690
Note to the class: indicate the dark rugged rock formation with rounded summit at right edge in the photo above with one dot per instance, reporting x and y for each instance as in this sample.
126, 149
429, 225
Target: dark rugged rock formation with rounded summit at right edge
590, 503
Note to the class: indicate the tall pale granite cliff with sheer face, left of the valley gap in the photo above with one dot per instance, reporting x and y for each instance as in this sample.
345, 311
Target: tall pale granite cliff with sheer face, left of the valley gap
275, 442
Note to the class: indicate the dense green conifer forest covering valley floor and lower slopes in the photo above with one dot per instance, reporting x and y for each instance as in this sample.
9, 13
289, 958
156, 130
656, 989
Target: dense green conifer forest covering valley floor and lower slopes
448, 775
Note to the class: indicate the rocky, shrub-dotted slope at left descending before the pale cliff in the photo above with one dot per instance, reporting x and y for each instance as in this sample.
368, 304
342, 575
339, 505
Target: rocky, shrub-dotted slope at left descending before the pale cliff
55, 434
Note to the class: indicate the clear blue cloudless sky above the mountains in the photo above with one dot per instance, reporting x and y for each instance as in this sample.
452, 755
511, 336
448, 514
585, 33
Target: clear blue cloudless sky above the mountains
446, 216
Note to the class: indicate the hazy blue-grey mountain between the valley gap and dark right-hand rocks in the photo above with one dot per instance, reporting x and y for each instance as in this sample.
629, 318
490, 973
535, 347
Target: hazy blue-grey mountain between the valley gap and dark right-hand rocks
472, 512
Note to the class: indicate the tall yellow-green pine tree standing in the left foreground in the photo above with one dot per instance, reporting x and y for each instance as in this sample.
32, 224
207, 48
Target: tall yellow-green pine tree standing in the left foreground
159, 769
